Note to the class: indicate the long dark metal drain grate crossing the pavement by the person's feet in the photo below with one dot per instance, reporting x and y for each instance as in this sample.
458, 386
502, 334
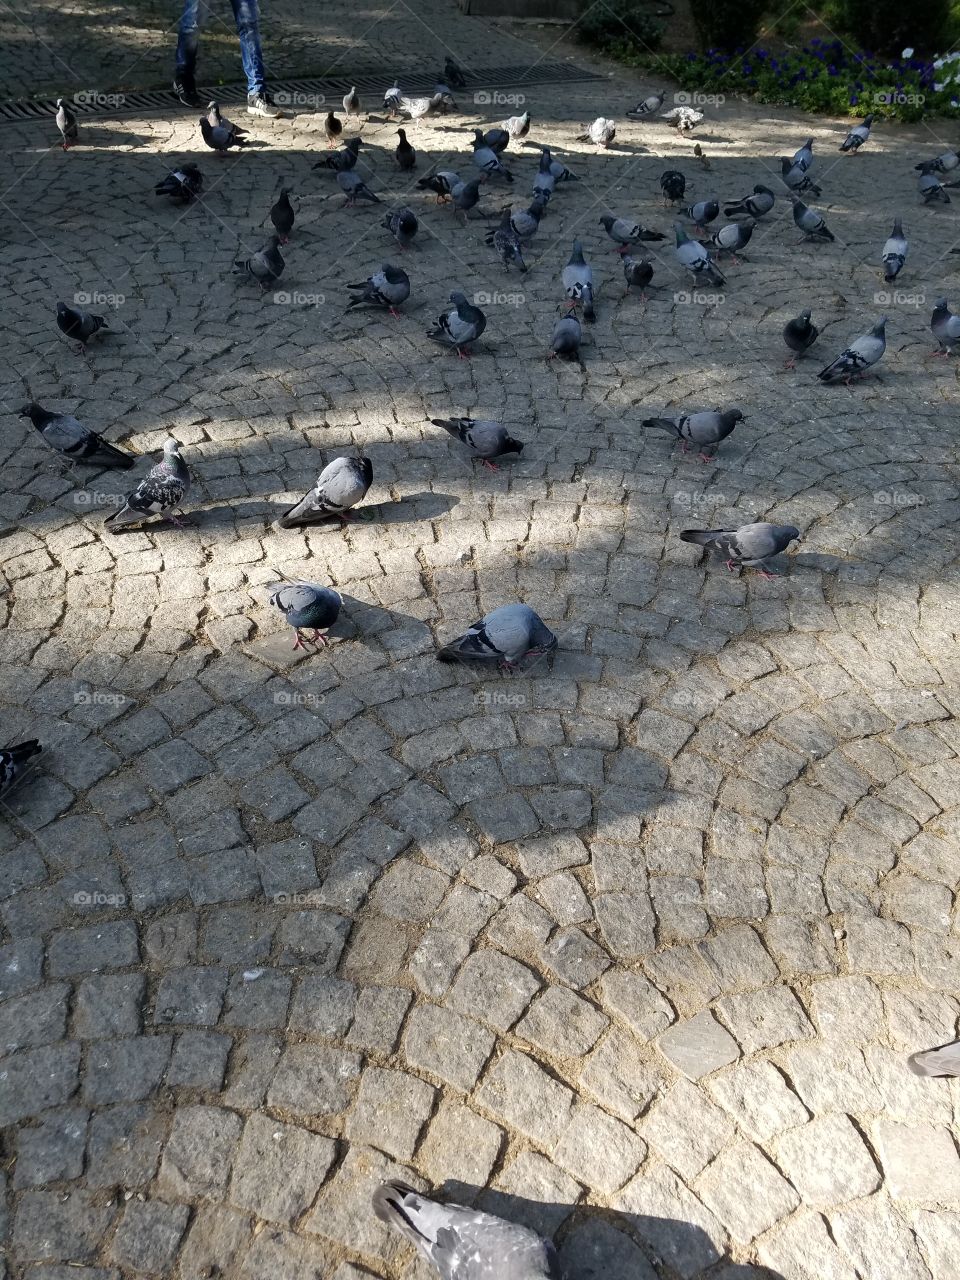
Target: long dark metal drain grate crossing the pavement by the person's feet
369, 85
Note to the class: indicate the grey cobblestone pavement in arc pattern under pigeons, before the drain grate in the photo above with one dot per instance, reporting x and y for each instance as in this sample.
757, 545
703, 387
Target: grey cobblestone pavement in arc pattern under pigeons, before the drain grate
632, 947
